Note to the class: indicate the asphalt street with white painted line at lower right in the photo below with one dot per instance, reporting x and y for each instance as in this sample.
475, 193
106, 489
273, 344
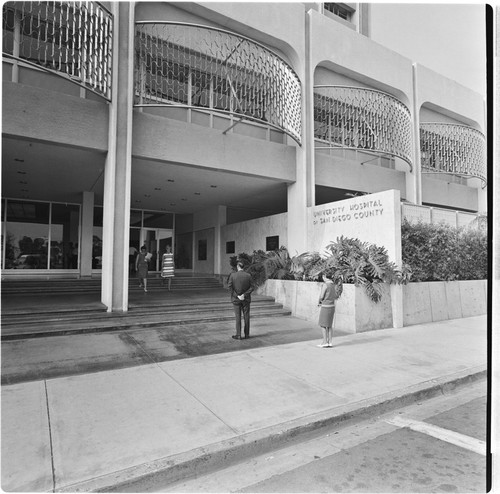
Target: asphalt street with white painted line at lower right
431, 446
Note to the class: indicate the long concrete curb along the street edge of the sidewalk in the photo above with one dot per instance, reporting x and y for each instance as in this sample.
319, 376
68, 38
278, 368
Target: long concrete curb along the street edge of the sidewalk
164, 471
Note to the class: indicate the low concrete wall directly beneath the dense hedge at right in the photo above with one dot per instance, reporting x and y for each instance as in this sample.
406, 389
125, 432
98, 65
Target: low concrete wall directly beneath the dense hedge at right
439, 300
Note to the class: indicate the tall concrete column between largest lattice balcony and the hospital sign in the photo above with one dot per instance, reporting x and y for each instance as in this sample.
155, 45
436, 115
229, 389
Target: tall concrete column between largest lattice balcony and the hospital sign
301, 194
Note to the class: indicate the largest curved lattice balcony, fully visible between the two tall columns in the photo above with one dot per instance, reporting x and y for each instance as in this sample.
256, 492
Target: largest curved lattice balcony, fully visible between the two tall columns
194, 66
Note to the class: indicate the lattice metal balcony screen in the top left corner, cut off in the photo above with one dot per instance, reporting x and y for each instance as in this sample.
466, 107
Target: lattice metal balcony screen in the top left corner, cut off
72, 39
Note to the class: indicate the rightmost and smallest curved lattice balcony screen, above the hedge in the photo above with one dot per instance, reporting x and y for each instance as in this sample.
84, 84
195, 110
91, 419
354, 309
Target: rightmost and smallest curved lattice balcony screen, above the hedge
453, 149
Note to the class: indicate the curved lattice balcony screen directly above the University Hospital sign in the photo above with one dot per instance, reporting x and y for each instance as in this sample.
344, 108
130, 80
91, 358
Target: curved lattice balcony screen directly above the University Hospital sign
362, 119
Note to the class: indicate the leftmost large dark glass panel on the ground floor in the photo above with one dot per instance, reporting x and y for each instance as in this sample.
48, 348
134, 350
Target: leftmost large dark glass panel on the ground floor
26, 235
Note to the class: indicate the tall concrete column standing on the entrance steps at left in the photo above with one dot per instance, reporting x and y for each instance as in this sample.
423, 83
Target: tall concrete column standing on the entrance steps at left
118, 167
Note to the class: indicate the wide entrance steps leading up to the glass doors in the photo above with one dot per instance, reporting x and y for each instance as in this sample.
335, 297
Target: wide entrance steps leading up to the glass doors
42, 309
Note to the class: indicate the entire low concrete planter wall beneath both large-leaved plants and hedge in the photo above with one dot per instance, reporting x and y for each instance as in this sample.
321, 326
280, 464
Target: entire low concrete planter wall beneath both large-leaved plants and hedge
356, 313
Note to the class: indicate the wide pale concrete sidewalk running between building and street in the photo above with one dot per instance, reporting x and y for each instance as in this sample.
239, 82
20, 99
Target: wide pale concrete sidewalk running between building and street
107, 429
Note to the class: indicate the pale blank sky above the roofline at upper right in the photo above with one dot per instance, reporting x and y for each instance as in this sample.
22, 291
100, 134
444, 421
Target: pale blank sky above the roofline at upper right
449, 38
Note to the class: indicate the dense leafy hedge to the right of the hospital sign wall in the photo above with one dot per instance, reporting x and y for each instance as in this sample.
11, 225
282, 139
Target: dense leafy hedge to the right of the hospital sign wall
438, 252
